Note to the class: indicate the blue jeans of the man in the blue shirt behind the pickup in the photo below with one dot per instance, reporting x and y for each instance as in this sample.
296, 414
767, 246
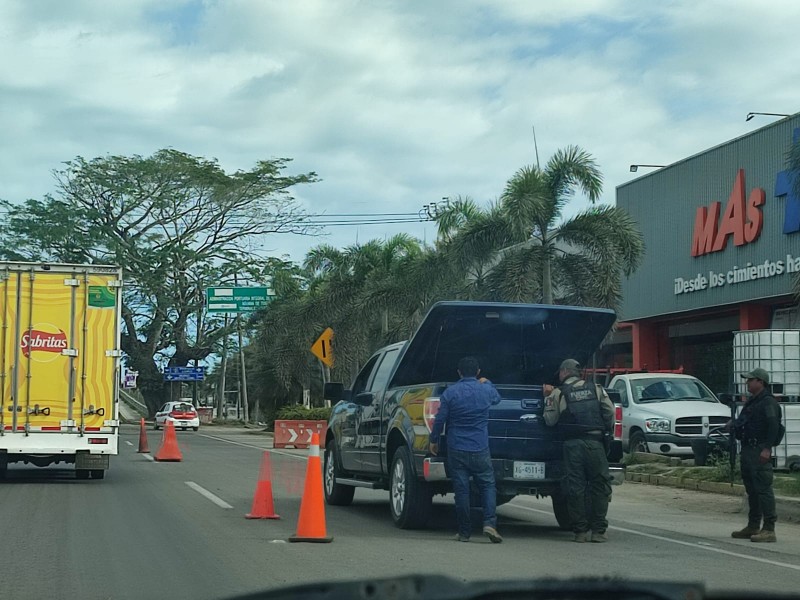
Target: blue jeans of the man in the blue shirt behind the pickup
462, 464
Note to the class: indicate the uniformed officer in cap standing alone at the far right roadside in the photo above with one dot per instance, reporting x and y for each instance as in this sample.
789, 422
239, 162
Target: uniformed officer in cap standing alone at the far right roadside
757, 428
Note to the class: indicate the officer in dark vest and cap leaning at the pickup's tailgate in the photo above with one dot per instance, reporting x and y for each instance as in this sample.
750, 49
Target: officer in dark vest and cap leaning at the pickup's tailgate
583, 414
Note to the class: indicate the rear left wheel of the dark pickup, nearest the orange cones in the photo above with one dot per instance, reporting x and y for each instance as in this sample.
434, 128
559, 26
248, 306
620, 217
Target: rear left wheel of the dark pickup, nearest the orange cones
410, 499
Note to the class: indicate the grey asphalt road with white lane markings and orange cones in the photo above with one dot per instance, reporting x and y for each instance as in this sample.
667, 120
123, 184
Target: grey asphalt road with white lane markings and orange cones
177, 530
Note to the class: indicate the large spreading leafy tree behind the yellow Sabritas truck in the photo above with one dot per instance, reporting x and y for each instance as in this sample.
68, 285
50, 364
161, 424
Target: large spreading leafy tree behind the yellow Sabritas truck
177, 224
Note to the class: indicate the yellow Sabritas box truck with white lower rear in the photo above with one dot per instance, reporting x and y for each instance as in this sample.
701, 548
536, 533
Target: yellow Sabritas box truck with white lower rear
59, 365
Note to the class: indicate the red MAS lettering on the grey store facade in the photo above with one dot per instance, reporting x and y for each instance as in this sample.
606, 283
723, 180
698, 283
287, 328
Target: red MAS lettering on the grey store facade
742, 220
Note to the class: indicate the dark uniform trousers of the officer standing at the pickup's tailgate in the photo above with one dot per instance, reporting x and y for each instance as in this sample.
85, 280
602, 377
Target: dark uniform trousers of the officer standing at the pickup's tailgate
587, 484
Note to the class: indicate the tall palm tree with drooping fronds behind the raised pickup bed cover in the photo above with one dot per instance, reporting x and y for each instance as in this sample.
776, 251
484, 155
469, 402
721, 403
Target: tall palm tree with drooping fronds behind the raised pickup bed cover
522, 248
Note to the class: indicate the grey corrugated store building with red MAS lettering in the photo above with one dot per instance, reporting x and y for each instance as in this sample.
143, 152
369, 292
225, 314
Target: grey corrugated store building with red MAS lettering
722, 230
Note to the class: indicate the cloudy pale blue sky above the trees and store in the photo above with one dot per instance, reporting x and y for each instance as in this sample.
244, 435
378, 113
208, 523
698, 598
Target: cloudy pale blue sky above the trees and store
395, 104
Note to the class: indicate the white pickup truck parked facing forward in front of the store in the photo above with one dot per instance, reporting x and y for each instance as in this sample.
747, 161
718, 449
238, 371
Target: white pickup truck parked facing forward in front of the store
663, 413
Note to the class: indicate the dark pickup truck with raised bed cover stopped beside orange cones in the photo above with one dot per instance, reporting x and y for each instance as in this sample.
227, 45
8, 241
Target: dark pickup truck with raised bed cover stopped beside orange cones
378, 431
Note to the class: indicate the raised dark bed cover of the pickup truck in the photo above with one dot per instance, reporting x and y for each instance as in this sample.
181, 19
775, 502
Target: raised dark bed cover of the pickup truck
515, 344
